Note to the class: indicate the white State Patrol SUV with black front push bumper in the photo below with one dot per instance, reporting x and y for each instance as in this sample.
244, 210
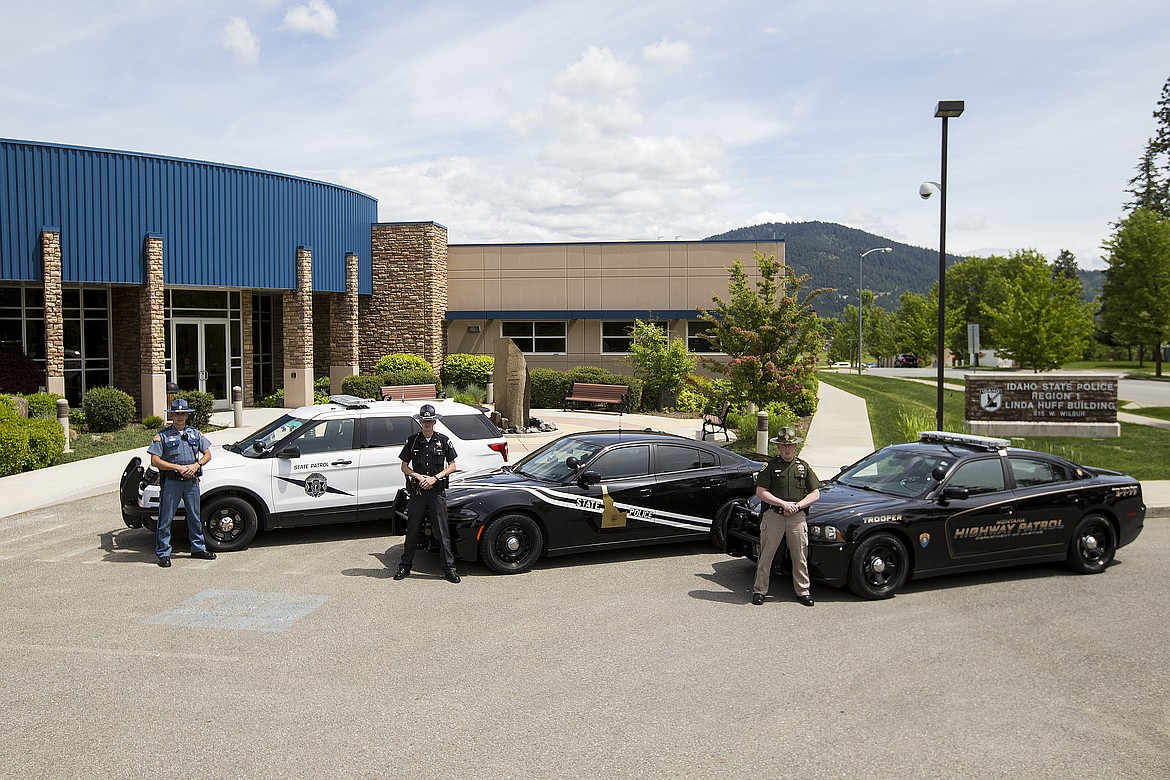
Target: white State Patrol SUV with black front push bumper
333, 463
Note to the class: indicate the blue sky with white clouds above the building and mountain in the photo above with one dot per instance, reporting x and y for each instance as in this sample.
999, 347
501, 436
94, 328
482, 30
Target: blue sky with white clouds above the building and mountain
618, 121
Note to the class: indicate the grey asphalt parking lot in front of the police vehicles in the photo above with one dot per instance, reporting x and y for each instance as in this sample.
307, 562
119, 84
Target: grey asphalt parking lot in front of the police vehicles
301, 658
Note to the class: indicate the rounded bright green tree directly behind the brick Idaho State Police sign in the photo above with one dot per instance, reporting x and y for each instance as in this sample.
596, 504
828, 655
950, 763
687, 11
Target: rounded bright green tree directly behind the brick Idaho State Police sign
1043, 323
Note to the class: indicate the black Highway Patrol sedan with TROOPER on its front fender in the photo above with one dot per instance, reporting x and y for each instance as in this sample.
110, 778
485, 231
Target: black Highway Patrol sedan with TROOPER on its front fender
956, 503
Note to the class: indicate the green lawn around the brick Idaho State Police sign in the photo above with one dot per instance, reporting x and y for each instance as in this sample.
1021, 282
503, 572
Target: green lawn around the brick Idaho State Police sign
1141, 451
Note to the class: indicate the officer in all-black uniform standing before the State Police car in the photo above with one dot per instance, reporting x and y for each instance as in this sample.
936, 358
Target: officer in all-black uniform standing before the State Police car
428, 459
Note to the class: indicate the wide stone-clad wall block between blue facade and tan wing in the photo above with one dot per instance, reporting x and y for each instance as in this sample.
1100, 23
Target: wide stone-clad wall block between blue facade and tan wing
407, 310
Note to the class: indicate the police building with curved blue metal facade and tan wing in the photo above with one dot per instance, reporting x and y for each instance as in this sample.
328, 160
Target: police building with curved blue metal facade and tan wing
135, 271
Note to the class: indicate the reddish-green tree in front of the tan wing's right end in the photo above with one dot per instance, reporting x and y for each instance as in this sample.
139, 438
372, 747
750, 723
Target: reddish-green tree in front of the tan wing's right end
769, 330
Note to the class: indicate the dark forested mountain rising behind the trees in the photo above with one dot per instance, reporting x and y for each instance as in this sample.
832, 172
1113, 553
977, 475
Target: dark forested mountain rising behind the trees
830, 253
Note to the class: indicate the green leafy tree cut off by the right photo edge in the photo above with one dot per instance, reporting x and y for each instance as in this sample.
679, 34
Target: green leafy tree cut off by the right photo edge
1135, 299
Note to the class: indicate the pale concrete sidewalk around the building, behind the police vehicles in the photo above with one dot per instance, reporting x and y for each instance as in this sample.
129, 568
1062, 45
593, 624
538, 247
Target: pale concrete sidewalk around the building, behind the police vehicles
839, 436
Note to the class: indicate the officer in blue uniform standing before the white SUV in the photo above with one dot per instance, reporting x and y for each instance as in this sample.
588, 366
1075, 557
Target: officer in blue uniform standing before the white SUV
178, 452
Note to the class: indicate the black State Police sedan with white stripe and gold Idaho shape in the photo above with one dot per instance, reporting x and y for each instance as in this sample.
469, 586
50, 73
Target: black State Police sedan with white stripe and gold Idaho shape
596, 491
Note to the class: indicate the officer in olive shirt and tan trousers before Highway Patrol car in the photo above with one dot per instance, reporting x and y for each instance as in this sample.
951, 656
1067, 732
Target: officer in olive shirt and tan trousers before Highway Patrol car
788, 487
